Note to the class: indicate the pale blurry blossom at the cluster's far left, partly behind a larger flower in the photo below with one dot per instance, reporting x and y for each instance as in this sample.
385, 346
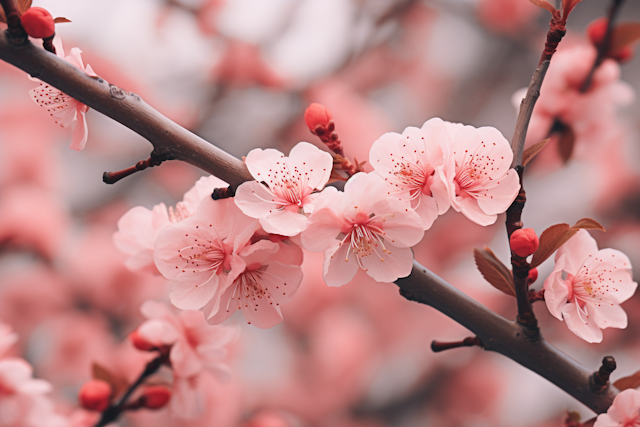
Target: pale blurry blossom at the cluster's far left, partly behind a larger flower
139, 227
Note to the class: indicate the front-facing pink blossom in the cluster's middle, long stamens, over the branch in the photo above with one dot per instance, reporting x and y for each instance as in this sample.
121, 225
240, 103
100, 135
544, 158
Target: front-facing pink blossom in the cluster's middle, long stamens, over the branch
366, 224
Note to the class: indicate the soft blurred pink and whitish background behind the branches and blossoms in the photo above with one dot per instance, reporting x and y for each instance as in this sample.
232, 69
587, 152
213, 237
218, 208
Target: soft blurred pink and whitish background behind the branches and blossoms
240, 73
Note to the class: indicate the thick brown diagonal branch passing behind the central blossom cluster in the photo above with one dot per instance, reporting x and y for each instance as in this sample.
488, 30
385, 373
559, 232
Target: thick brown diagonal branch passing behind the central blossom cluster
172, 141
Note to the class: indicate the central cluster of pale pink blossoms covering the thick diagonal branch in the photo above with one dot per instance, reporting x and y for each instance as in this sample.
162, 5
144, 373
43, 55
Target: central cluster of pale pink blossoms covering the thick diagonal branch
245, 252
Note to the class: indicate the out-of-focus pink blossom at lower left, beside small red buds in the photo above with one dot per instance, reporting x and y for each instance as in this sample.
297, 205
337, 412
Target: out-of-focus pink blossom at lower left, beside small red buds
195, 347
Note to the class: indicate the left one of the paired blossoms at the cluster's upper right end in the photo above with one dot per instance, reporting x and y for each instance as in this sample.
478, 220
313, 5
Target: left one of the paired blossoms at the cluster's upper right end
413, 166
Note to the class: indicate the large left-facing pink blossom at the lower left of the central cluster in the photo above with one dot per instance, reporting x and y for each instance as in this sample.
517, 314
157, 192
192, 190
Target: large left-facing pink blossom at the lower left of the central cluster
197, 254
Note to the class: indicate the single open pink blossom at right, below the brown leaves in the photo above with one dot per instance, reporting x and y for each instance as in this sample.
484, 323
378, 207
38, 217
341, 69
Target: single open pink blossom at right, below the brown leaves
596, 283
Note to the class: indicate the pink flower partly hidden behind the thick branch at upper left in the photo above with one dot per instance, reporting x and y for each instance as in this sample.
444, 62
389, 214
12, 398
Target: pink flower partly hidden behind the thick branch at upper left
66, 110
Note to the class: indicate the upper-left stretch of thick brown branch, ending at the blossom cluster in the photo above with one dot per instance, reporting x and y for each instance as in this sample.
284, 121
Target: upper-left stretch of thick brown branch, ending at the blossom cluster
168, 138
